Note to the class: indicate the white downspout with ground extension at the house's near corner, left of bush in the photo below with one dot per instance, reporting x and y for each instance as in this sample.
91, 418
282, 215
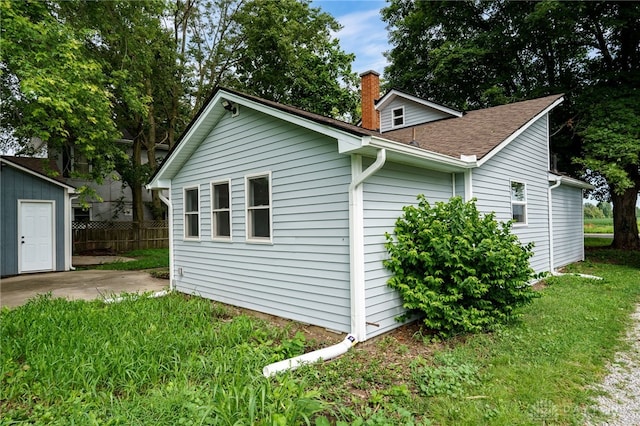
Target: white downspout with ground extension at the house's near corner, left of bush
356, 243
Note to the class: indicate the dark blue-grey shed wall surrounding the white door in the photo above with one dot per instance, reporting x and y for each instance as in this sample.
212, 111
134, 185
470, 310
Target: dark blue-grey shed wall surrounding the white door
17, 185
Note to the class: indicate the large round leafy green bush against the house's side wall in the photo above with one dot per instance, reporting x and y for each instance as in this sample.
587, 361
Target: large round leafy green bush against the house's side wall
465, 272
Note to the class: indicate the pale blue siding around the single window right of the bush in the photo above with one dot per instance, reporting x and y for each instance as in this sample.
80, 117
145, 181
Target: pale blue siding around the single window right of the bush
524, 160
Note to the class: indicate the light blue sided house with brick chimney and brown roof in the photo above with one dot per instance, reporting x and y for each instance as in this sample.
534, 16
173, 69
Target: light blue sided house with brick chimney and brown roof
283, 211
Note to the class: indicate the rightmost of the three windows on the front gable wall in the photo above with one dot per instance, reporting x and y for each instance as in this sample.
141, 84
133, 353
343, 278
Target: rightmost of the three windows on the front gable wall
259, 207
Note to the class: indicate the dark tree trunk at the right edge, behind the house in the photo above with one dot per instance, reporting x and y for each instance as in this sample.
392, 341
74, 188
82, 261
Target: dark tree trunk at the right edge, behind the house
625, 225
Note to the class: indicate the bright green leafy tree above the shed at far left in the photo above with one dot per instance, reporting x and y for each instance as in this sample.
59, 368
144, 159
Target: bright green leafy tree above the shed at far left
52, 89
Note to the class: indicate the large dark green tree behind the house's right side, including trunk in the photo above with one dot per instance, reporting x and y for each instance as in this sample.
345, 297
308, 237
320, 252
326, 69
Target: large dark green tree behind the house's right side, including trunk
518, 50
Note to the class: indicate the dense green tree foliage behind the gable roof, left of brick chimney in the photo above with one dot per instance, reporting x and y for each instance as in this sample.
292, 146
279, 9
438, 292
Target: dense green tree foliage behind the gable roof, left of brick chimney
288, 55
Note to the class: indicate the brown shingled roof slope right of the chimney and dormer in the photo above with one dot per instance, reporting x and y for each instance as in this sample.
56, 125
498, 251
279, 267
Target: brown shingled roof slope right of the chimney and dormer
476, 132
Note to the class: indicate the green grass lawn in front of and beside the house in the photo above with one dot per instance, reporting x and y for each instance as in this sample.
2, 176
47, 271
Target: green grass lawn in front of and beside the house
184, 360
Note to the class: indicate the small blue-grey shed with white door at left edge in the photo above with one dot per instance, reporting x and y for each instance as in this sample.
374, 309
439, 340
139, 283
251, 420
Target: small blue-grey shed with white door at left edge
35, 217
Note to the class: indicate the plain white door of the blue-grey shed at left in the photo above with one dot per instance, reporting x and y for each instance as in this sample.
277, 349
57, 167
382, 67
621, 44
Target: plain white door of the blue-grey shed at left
36, 236
